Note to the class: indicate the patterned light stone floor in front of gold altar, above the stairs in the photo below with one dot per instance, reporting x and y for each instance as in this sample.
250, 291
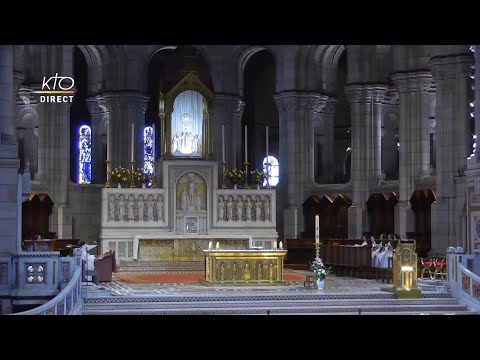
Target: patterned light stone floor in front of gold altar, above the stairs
333, 285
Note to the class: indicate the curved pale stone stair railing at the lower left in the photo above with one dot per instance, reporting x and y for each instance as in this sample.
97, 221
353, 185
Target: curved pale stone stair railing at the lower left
69, 301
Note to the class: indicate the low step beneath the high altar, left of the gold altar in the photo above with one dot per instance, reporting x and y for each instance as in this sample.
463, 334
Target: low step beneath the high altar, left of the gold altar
161, 266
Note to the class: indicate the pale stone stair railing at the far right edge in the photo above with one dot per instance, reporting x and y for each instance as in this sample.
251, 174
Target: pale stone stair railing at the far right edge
463, 283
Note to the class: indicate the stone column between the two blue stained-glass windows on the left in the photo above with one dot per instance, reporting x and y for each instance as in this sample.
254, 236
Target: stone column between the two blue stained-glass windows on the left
124, 109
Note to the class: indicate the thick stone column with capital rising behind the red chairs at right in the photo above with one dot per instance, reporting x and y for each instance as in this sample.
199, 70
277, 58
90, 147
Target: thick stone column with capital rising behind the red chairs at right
451, 75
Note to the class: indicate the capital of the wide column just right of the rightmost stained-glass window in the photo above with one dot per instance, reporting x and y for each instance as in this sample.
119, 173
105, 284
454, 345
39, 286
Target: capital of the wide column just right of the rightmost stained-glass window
293, 100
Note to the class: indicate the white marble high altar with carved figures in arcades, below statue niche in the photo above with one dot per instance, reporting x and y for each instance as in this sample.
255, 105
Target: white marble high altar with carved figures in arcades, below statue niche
188, 205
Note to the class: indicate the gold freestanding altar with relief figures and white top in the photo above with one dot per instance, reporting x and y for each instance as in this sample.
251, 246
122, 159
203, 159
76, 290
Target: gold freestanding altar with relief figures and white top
244, 266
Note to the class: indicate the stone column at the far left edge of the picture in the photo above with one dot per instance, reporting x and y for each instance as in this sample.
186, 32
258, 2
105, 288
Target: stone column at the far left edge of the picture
9, 162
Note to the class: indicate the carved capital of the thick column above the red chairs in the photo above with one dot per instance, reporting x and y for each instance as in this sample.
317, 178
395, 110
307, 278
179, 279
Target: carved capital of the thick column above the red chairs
451, 67
